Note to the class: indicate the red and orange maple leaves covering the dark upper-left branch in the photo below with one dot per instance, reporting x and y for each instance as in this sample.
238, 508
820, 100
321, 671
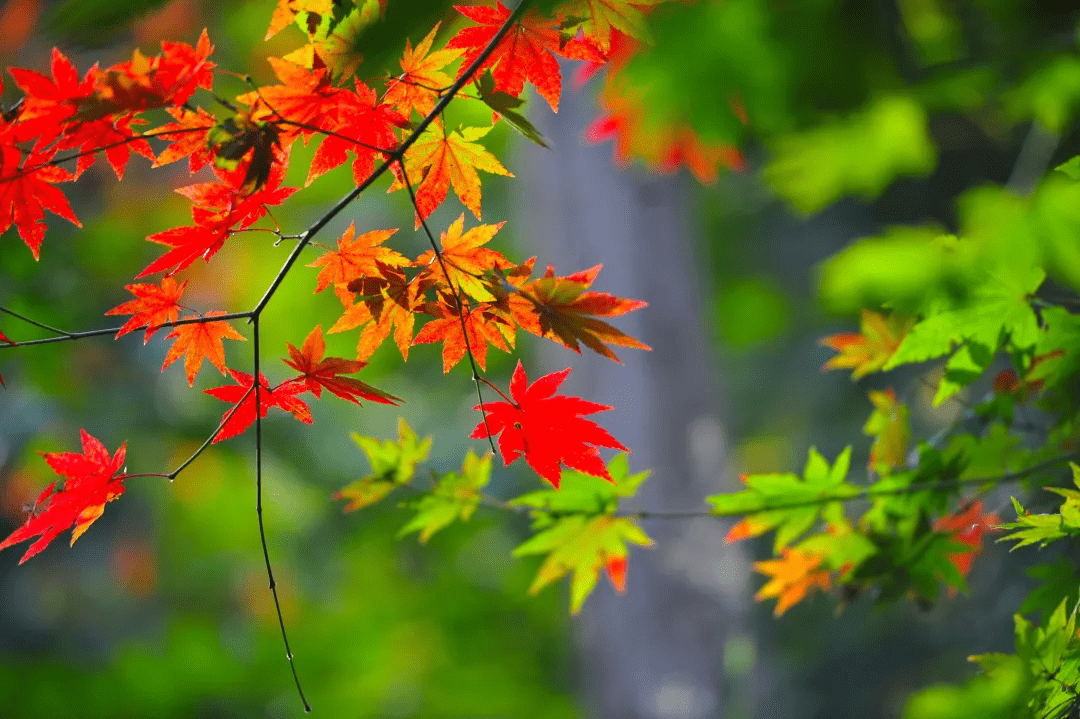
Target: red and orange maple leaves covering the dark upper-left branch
462, 293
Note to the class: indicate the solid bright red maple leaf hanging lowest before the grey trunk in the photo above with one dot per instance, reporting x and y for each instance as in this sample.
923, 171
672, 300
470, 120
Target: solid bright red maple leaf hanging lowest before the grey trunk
548, 429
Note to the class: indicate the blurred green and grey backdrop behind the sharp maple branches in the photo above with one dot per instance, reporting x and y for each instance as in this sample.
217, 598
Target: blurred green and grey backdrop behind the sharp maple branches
865, 116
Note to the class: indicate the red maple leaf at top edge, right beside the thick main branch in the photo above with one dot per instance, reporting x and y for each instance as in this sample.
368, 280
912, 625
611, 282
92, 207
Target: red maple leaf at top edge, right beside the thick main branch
525, 53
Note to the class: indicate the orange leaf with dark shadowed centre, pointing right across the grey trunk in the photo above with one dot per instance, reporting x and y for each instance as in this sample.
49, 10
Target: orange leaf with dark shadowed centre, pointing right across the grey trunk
561, 309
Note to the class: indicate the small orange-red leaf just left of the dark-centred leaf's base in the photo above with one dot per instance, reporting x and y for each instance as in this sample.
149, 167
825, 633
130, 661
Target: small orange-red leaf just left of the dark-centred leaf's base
484, 328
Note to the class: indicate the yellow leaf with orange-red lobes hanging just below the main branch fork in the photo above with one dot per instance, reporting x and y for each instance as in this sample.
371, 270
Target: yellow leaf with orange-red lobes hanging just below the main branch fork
449, 160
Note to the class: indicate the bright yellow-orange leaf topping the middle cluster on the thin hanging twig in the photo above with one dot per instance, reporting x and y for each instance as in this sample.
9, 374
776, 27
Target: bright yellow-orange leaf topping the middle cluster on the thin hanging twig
467, 260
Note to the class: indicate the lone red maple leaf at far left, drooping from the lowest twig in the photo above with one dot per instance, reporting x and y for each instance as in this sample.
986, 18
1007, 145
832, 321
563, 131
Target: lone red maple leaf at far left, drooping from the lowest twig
91, 481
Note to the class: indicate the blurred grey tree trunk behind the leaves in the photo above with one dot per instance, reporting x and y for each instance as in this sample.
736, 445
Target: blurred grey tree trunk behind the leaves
659, 652
